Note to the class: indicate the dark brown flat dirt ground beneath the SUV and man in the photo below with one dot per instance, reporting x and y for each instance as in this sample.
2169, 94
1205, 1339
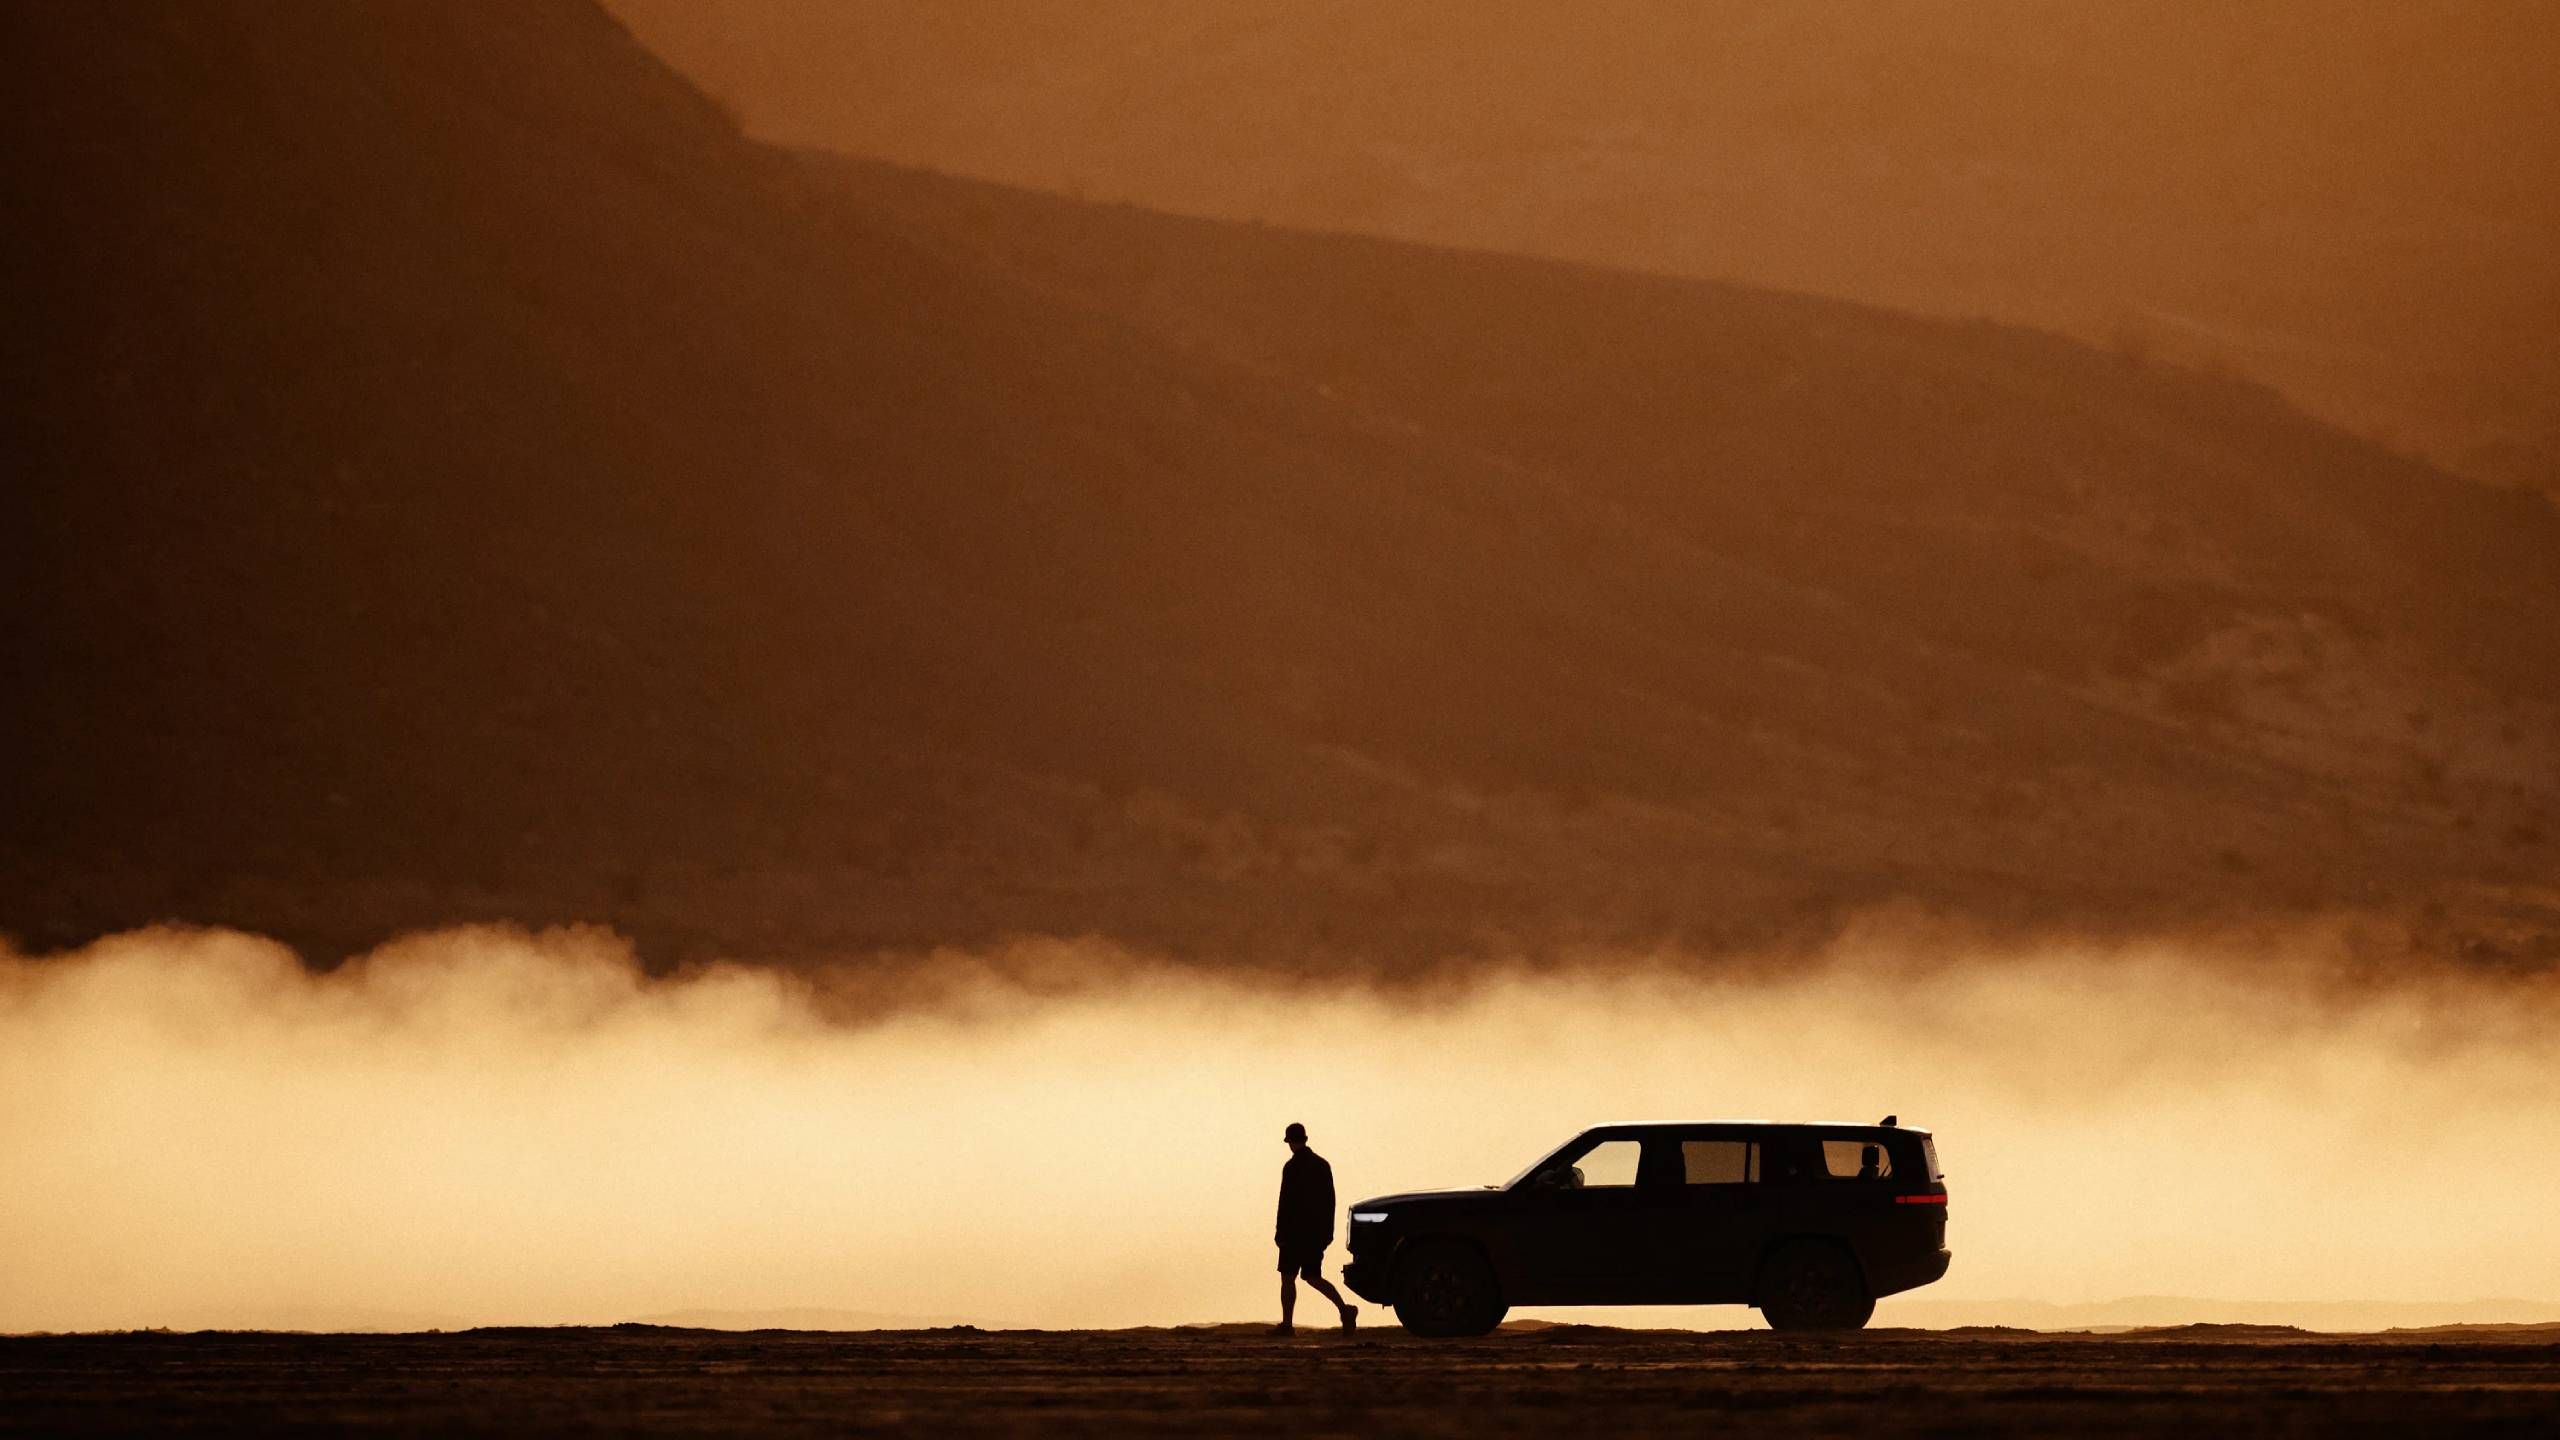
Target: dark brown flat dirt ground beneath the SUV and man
1238, 1380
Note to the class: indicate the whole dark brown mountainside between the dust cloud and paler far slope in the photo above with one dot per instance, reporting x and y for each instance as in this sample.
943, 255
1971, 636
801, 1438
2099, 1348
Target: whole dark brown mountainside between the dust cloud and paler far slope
462, 478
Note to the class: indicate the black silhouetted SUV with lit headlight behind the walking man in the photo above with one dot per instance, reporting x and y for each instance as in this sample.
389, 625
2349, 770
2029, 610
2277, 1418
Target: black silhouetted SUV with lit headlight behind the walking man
1809, 1223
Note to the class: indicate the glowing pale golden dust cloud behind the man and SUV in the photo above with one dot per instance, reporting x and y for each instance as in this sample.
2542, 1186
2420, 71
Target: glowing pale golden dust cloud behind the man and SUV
488, 1126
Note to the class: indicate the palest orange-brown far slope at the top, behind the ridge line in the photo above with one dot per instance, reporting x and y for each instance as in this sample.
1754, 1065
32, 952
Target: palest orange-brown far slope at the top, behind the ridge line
2349, 201
